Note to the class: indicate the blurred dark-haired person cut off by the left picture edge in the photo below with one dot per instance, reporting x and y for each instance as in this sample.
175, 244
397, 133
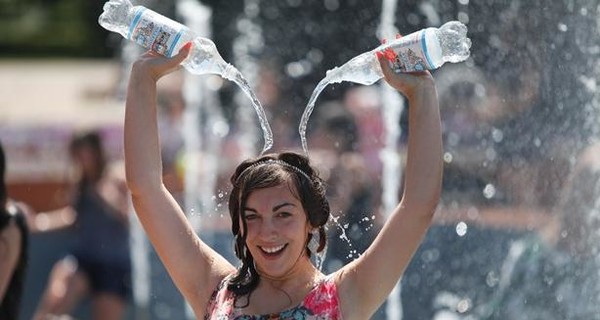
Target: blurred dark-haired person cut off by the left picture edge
13, 250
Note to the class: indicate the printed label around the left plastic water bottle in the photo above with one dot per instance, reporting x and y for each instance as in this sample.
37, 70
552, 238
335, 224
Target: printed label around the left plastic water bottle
155, 32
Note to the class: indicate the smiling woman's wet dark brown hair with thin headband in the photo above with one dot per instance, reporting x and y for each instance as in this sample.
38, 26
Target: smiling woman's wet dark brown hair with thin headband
259, 173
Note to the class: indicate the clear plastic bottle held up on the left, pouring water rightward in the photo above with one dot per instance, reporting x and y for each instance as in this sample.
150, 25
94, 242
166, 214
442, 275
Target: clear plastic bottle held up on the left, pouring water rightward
163, 35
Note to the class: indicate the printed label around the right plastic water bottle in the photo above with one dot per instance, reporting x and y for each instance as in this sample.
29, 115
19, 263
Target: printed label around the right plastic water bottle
409, 53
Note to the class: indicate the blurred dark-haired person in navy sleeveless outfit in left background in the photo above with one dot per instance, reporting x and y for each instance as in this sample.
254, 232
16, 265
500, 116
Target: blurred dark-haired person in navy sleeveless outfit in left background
98, 264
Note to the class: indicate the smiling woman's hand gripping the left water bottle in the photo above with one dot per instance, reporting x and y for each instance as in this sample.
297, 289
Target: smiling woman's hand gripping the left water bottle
155, 65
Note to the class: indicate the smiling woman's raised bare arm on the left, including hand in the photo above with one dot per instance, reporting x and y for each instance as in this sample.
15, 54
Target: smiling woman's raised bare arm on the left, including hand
194, 267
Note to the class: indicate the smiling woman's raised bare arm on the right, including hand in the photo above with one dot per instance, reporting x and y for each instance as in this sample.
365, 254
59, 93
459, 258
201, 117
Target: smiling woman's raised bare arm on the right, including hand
366, 282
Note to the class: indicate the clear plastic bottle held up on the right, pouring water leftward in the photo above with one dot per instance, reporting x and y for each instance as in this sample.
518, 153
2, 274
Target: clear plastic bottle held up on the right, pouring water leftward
426, 49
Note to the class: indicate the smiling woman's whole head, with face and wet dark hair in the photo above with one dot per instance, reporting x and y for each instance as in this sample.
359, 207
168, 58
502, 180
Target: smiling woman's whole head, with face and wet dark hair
267, 205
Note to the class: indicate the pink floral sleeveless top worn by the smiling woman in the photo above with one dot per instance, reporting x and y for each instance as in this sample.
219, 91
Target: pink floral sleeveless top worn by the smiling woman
321, 303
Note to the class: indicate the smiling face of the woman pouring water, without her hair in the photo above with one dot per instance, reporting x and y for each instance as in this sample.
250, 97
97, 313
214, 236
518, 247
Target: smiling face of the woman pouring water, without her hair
277, 230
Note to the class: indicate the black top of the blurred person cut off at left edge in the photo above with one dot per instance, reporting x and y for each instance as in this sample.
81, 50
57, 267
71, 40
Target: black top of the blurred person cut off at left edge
10, 305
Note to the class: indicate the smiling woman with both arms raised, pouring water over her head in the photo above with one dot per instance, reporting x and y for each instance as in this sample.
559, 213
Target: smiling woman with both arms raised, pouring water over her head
278, 211
